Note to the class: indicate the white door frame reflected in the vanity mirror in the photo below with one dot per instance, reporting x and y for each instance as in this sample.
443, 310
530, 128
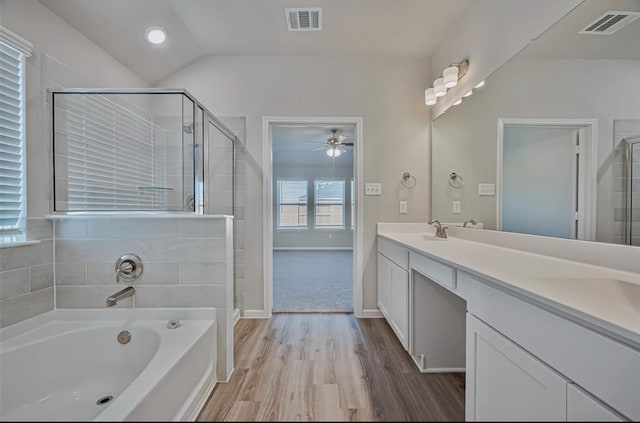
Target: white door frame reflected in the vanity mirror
587, 197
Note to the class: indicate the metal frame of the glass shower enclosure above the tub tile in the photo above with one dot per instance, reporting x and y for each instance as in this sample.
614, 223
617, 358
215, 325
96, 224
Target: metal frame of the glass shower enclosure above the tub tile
209, 117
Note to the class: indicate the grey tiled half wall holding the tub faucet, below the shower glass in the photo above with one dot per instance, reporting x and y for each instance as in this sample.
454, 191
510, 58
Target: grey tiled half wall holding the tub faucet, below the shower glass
188, 262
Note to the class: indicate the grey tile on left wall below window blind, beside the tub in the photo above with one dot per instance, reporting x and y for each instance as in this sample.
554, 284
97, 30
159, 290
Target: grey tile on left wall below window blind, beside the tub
26, 275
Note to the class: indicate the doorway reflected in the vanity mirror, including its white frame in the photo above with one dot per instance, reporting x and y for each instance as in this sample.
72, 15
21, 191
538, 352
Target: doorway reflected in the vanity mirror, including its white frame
546, 178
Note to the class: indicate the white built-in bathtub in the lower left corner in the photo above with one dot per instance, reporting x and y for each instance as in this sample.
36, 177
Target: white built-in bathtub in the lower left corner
57, 366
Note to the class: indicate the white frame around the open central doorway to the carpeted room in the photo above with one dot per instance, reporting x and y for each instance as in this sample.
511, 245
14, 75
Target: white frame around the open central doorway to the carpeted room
267, 200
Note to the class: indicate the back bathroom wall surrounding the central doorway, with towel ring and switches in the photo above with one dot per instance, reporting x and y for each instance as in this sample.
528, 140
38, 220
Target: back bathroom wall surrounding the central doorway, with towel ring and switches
388, 94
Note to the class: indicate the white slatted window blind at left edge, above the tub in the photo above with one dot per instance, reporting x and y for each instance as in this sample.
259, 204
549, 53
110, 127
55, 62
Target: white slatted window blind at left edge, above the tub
12, 151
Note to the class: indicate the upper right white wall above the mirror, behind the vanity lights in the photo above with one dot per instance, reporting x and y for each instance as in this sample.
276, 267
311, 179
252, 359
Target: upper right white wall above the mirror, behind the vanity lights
488, 34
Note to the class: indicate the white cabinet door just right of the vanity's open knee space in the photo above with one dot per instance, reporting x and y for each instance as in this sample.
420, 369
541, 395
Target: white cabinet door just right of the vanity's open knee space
504, 382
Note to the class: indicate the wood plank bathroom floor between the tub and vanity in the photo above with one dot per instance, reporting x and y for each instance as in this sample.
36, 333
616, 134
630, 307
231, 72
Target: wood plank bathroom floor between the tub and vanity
329, 367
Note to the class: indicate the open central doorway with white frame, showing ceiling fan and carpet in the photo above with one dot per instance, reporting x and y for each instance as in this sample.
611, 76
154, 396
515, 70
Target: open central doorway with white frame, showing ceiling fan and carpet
312, 227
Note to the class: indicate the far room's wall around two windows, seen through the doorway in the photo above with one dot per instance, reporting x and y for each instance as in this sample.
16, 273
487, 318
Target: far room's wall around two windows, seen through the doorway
311, 237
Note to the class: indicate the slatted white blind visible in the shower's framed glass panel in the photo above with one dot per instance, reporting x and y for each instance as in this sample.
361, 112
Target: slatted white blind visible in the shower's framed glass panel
110, 157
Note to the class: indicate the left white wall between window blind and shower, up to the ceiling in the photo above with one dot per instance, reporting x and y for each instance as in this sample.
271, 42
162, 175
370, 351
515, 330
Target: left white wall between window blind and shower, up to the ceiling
52, 36
